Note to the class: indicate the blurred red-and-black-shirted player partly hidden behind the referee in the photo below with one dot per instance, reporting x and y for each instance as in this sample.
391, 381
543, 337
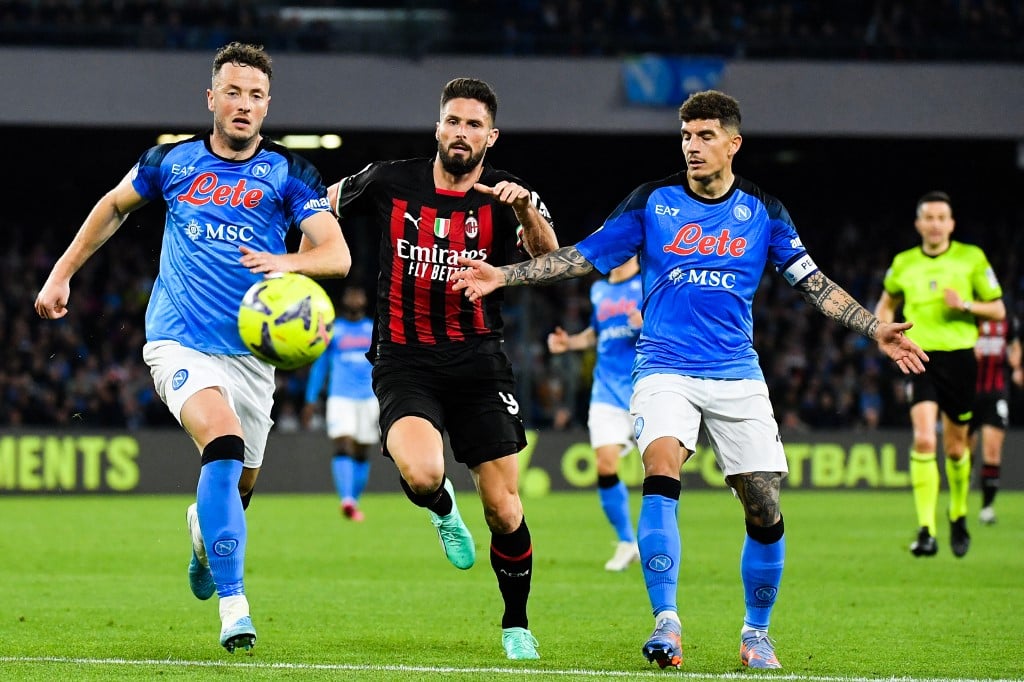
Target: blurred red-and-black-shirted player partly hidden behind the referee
999, 355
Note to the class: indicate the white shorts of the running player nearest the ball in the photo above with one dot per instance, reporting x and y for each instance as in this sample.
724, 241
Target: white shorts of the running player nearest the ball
246, 382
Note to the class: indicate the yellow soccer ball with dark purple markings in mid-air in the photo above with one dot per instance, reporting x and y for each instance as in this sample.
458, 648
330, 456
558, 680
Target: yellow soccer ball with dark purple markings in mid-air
286, 321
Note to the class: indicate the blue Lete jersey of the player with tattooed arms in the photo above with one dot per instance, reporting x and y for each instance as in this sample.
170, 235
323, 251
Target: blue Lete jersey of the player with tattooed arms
701, 262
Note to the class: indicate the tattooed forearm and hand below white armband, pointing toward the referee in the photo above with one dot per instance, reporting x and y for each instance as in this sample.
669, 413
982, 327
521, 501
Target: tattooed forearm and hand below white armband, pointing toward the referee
836, 304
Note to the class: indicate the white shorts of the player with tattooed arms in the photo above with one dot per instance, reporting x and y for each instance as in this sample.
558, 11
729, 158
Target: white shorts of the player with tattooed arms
737, 415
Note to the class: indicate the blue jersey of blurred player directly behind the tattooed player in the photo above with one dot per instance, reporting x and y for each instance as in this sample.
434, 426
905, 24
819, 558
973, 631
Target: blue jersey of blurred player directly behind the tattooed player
617, 339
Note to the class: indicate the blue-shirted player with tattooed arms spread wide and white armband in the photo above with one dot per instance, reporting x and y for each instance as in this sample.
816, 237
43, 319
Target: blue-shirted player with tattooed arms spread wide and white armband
704, 238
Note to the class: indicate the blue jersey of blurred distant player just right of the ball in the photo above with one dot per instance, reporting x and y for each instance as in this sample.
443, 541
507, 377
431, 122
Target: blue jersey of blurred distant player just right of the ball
346, 363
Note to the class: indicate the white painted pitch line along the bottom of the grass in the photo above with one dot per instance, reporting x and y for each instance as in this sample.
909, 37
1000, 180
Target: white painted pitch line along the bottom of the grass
475, 671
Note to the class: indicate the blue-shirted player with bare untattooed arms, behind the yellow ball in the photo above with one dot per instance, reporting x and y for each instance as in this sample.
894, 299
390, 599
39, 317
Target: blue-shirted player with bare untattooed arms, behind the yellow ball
231, 197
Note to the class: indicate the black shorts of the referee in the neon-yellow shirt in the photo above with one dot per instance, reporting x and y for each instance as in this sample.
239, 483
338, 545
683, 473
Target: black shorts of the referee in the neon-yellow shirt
950, 380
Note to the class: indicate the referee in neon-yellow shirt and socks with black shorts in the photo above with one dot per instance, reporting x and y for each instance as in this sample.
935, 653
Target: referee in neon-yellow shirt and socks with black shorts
946, 287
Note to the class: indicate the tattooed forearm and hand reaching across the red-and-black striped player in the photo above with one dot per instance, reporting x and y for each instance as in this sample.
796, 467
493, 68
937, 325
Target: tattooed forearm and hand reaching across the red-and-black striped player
480, 278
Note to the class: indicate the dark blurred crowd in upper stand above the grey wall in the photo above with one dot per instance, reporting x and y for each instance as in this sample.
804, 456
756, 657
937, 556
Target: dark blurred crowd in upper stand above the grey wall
988, 30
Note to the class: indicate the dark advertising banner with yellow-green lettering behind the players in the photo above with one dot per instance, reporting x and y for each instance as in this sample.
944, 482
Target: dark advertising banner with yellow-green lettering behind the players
64, 462
